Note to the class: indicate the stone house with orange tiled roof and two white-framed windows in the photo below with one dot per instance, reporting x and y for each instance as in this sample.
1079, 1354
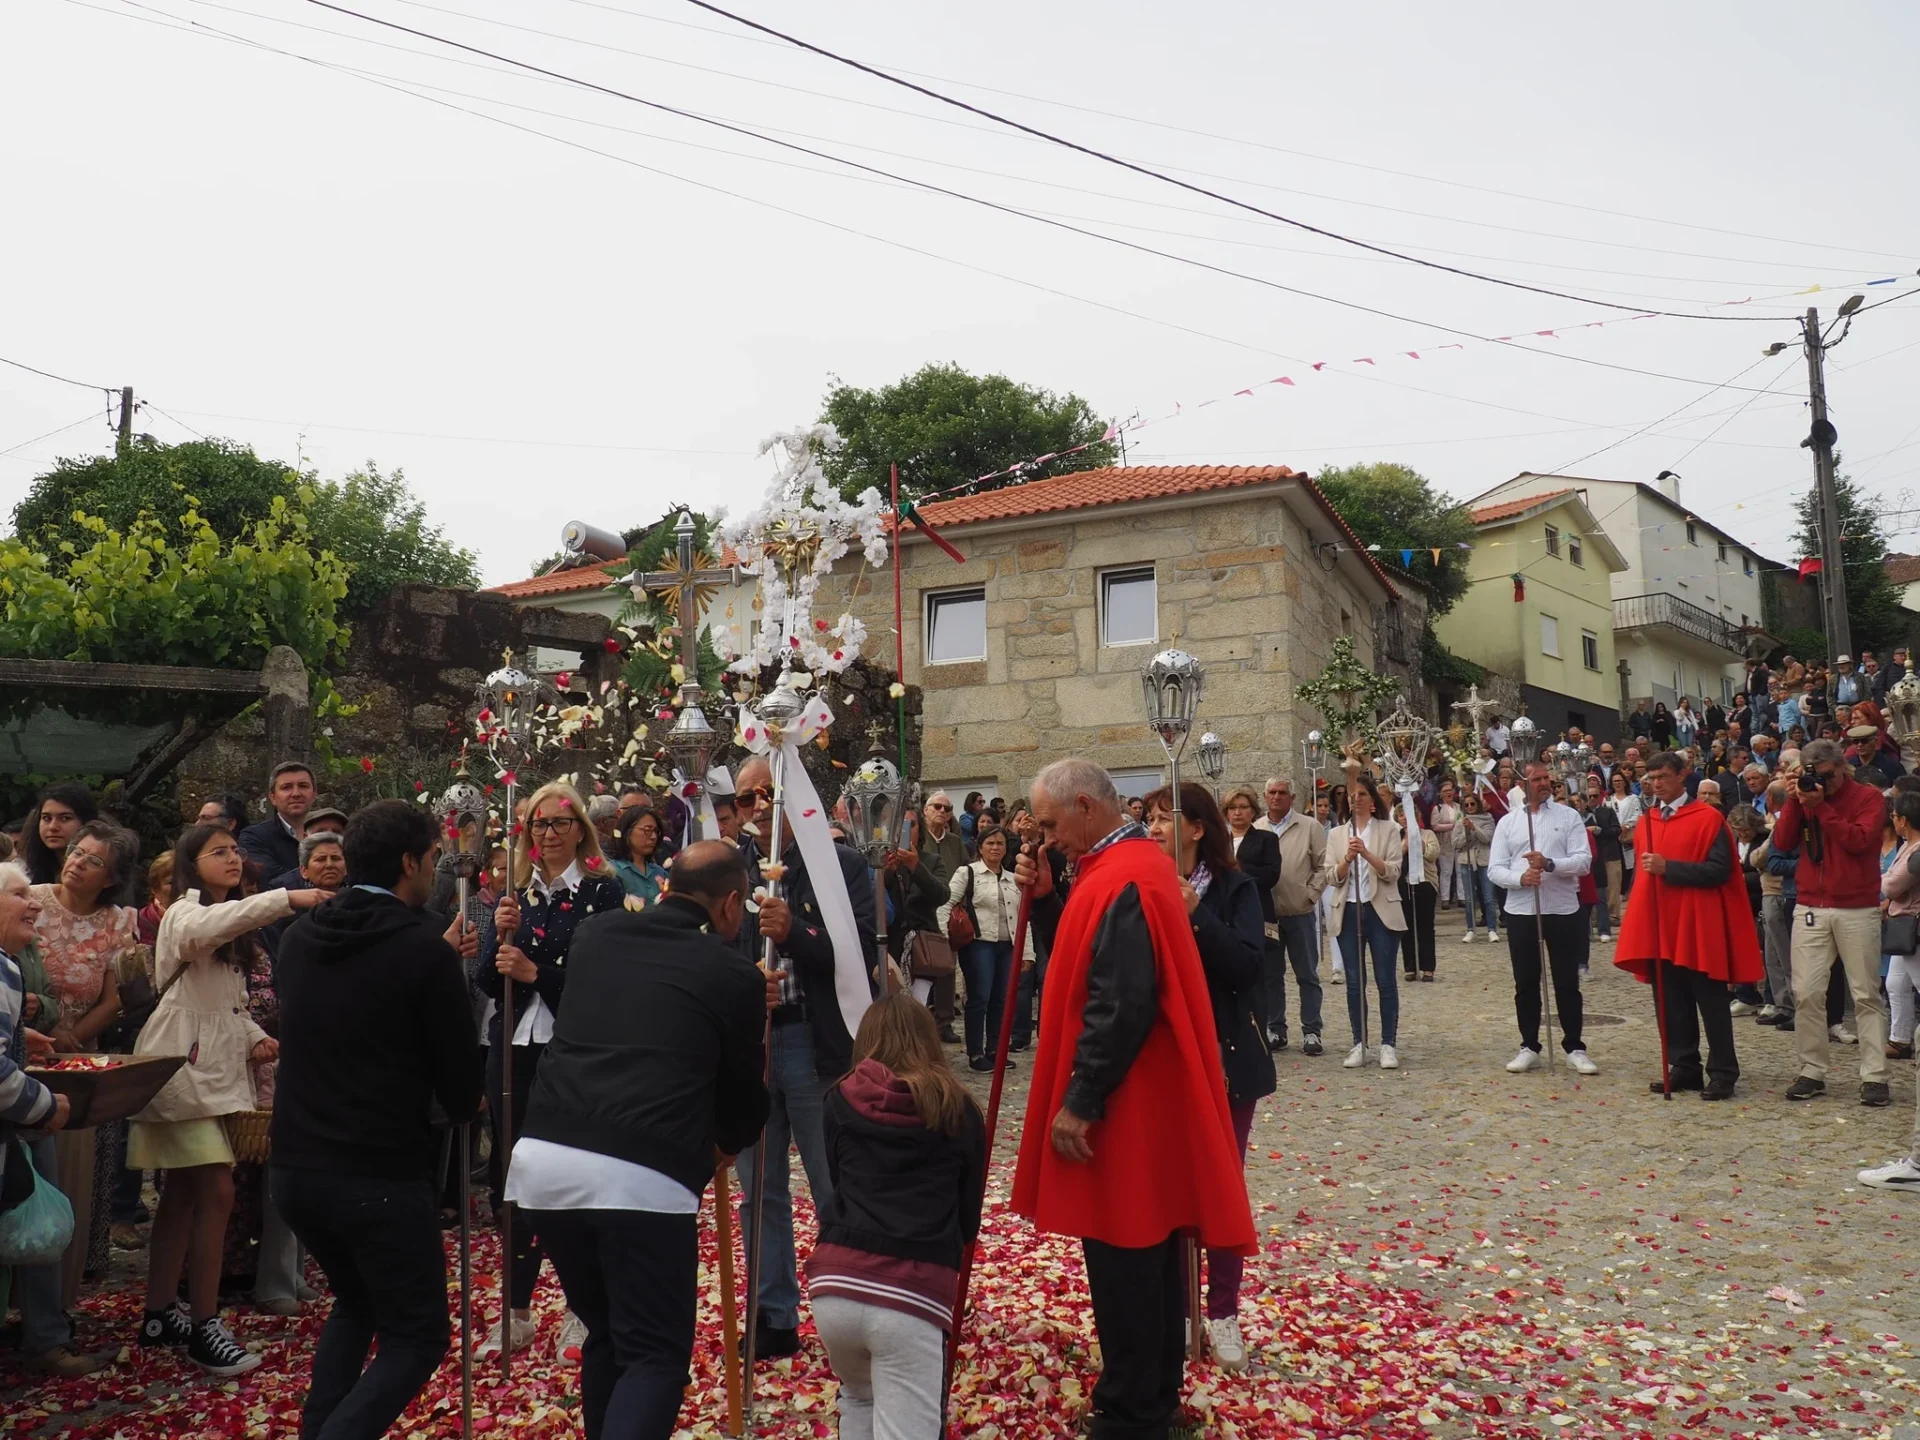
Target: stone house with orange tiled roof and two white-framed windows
1032, 648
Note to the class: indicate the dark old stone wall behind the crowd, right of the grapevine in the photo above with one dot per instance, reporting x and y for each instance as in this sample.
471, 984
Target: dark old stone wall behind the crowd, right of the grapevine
410, 681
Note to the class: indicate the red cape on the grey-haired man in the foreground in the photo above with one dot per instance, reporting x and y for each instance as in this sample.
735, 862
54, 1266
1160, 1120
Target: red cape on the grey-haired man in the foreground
1164, 1155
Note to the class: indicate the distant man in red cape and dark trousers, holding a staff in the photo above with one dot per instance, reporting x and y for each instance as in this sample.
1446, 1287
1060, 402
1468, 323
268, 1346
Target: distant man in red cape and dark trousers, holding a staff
1689, 930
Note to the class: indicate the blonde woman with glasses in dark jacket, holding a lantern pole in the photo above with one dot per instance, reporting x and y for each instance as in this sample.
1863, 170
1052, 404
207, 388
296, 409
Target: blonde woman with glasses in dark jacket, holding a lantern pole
560, 880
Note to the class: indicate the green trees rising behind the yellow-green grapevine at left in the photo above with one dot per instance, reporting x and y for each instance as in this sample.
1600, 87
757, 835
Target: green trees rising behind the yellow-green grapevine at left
370, 521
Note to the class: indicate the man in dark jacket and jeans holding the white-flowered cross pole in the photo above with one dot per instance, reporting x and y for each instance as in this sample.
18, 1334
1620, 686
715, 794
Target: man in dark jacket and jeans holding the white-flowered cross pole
811, 1051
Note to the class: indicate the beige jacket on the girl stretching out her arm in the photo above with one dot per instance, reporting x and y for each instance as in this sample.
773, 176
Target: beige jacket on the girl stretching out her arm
204, 1011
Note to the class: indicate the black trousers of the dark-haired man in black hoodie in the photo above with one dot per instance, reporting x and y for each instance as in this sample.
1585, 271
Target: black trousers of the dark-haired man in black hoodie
379, 1243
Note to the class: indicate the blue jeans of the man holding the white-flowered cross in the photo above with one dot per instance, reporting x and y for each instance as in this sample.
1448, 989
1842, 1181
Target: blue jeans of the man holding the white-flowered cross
798, 1118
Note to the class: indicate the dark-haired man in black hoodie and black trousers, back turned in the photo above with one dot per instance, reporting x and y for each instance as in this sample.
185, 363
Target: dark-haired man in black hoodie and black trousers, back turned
375, 1026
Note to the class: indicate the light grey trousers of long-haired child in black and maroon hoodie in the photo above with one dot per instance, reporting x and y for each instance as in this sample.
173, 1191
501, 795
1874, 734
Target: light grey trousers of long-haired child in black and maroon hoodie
890, 1368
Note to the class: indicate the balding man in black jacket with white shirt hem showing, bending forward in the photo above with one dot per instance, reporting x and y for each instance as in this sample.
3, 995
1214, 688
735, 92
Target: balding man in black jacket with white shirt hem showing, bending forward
654, 1072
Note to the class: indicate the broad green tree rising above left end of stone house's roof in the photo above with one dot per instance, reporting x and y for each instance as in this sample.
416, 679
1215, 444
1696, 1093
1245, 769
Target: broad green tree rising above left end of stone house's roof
946, 427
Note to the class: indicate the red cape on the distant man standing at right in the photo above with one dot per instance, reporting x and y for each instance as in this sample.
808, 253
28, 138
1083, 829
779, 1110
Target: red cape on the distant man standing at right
1706, 930
